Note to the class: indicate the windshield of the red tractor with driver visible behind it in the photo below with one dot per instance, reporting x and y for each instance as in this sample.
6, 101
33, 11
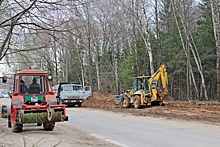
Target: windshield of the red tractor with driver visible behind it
32, 85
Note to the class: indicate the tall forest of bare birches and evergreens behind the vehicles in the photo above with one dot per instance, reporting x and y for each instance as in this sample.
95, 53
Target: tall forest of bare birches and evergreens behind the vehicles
105, 43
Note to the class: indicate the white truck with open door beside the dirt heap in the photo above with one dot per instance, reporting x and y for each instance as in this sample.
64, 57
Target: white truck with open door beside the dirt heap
74, 94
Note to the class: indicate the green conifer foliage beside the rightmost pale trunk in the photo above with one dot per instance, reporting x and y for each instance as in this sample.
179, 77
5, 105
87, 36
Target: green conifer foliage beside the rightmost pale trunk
204, 37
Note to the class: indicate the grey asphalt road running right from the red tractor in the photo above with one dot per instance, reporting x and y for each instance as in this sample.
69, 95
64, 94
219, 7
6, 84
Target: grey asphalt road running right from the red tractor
137, 131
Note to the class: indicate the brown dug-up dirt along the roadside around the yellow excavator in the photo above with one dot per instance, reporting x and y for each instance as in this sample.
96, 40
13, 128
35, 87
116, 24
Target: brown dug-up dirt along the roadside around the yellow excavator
203, 111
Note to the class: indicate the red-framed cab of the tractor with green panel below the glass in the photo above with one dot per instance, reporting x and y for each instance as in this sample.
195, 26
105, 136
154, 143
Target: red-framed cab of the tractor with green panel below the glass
33, 86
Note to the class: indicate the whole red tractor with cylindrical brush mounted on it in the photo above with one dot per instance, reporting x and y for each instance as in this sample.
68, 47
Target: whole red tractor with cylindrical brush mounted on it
34, 102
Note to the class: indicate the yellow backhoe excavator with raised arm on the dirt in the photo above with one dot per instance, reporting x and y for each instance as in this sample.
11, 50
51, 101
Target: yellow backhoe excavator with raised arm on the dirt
147, 90
